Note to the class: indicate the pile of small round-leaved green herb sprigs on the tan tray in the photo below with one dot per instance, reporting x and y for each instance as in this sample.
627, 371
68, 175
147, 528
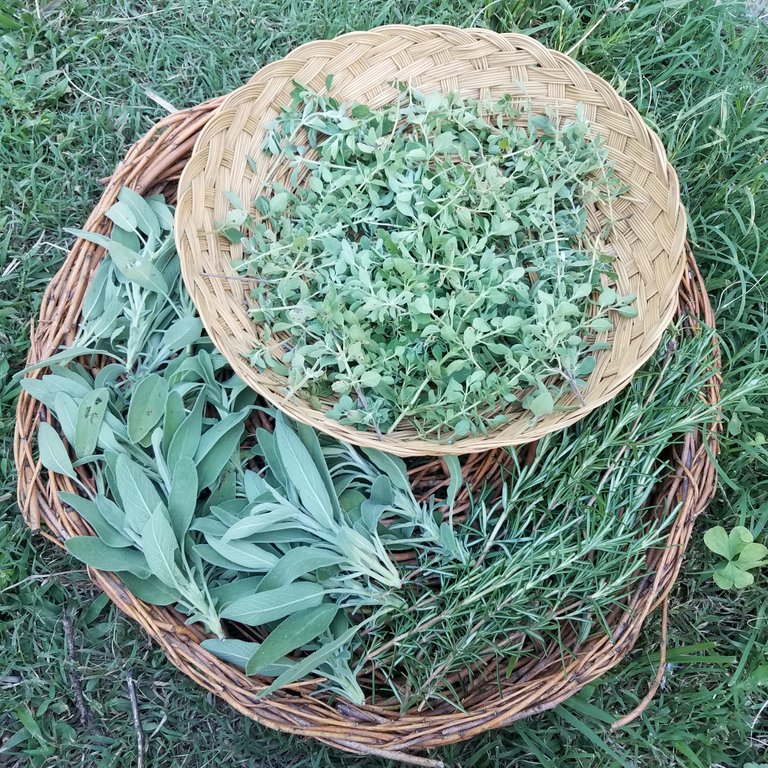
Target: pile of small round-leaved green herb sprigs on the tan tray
434, 264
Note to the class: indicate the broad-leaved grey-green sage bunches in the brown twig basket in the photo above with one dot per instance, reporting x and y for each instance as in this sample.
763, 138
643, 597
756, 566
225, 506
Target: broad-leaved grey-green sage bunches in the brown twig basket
179, 511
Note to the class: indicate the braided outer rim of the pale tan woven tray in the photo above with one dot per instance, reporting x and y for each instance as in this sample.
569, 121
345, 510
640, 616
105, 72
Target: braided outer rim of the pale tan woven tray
221, 302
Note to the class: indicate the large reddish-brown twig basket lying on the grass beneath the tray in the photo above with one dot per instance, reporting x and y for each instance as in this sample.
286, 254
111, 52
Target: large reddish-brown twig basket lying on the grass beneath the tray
154, 165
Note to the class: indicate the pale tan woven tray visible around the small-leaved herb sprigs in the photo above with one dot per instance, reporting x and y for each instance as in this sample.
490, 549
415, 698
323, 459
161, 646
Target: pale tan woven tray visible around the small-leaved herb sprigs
648, 240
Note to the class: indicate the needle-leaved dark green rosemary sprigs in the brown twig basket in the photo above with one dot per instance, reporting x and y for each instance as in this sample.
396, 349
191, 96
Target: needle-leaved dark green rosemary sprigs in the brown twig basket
570, 533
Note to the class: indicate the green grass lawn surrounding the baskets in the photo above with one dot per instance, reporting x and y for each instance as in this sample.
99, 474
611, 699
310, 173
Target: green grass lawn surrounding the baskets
74, 78
